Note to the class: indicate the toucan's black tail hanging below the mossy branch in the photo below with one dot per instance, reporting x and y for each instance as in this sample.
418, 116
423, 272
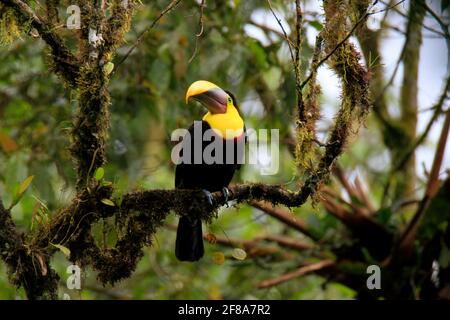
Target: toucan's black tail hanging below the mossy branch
189, 243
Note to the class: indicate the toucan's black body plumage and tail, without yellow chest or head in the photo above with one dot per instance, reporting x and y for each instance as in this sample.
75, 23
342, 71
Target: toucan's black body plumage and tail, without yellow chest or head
211, 177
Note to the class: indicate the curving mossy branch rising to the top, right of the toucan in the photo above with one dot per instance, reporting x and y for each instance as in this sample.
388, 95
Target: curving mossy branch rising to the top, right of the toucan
343, 58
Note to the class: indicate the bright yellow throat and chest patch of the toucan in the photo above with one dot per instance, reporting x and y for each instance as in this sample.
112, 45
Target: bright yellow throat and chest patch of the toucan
228, 125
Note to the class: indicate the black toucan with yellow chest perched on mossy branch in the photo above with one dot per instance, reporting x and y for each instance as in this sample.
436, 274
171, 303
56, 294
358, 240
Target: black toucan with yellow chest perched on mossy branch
222, 123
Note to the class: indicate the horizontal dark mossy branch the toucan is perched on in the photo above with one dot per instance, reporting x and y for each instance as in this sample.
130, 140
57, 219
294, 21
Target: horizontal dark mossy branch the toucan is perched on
138, 216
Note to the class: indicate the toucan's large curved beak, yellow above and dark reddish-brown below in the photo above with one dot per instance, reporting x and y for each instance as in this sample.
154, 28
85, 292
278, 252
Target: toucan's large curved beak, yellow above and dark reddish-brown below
208, 94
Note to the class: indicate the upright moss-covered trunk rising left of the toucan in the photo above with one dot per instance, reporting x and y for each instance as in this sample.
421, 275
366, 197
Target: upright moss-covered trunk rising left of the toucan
90, 131
